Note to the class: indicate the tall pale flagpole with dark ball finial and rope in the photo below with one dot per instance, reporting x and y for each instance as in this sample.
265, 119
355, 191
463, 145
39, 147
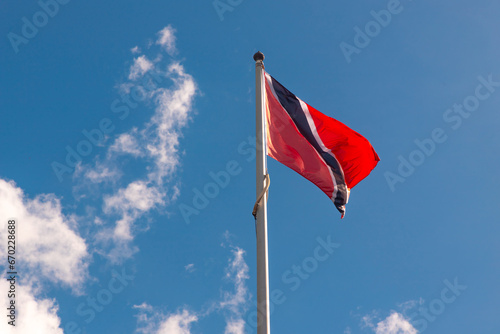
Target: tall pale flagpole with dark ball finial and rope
261, 214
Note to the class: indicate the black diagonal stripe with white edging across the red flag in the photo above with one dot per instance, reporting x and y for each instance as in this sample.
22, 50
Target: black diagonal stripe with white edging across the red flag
292, 105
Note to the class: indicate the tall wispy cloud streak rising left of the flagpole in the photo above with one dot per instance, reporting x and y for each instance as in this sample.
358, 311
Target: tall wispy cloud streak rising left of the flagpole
155, 144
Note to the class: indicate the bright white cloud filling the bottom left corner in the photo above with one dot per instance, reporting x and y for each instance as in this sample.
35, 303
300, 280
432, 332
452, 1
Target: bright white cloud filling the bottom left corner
35, 315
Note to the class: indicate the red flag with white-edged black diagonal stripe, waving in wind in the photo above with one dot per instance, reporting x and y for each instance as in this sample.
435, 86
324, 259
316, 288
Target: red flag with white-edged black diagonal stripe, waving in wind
323, 150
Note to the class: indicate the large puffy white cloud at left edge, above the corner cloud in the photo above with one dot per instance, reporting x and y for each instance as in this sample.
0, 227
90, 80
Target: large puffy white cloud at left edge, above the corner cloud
51, 248
